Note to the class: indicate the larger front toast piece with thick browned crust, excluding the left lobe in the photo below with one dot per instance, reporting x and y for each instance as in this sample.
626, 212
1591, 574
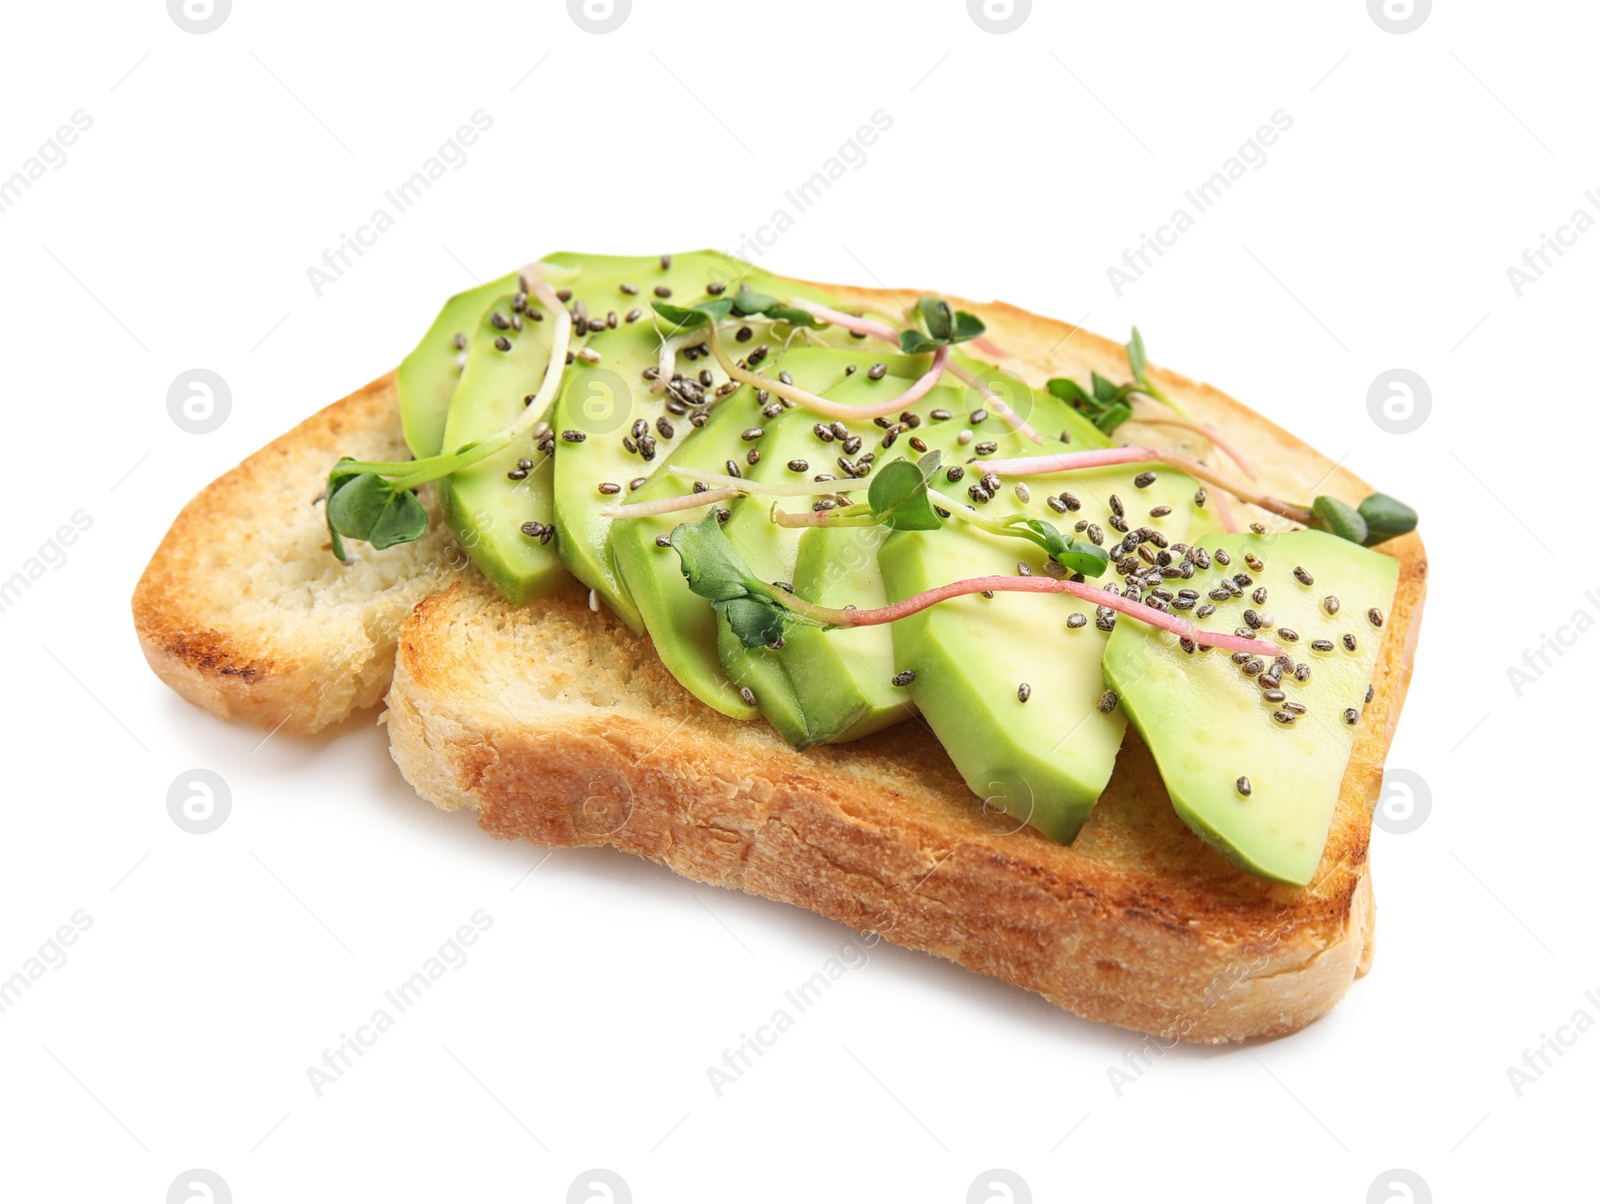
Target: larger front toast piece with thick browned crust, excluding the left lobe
561, 728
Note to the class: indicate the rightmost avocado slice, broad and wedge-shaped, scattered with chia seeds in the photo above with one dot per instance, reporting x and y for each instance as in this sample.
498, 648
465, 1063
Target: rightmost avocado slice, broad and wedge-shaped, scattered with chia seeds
1260, 790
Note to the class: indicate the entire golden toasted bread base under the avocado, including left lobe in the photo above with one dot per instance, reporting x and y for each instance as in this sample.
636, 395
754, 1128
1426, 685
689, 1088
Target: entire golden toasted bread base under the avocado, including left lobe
562, 728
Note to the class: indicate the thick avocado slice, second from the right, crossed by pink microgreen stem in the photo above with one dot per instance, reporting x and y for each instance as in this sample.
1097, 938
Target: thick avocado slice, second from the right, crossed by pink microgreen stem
1042, 755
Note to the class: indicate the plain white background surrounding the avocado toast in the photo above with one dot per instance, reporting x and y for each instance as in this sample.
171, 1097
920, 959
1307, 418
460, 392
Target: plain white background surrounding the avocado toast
218, 968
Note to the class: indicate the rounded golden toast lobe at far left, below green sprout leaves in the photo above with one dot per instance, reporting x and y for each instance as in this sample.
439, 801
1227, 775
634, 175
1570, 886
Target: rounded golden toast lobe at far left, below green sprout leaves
246, 612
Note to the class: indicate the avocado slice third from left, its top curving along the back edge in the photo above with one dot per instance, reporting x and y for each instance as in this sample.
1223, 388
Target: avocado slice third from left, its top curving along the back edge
630, 430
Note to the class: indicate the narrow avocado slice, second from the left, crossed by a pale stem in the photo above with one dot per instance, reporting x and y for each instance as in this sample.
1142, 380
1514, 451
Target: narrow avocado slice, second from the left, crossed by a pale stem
484, 505
